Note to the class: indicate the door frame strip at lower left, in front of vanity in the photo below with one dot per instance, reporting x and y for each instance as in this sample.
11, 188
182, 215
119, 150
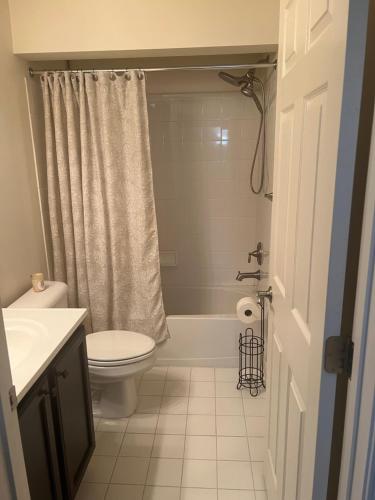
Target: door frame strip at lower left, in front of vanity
13, 479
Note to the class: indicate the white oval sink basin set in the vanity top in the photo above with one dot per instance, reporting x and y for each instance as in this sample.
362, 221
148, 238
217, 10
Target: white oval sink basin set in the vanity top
23, 338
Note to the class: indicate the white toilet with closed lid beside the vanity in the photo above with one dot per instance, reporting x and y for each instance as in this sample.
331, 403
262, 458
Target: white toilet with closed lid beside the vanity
115, 357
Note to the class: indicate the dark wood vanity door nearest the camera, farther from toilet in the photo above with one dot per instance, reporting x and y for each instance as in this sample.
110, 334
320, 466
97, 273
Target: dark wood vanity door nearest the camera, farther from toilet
39, 443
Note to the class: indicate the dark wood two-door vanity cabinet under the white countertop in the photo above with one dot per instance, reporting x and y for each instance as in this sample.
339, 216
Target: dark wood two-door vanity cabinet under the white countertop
56, 424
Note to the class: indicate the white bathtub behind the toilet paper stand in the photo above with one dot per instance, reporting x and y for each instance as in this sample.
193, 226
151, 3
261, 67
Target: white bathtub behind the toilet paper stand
206, 339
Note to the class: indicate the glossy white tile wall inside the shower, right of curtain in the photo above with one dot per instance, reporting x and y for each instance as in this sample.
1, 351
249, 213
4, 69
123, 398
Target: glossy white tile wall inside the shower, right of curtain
201, 146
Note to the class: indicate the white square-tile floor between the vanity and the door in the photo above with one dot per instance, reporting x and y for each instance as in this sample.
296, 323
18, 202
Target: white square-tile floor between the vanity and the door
194, 437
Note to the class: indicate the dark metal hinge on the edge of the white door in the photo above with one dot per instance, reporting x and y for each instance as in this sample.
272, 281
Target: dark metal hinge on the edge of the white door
338, 356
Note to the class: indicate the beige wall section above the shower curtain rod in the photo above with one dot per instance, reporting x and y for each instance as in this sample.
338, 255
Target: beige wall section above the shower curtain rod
85, 28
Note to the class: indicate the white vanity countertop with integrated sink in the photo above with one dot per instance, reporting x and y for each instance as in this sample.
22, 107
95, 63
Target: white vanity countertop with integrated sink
54, 327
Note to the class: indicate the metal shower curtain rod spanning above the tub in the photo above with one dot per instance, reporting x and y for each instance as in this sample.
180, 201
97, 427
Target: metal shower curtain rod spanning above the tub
33, 72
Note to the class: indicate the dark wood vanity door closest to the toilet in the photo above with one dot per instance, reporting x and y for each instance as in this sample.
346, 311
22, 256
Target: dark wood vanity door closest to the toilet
73, 412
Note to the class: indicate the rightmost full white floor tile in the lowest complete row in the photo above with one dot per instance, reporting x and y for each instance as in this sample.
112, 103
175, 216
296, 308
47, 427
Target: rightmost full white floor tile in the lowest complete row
234, 475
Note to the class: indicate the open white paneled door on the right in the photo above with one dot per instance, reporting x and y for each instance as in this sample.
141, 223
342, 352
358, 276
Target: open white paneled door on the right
312, 43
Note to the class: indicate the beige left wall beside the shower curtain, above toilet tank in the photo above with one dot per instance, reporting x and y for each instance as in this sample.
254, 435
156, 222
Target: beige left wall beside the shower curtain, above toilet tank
21, 241
